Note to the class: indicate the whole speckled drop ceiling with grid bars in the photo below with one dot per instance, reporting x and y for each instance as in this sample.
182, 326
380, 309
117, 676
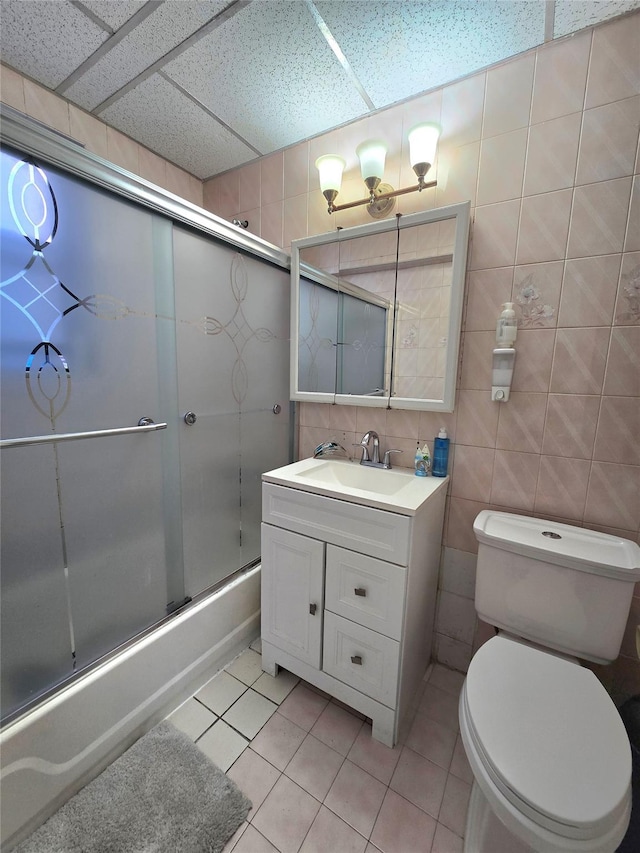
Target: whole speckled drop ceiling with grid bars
213, 84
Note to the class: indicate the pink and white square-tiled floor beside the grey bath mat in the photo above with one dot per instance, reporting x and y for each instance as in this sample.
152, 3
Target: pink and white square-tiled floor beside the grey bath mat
317, 780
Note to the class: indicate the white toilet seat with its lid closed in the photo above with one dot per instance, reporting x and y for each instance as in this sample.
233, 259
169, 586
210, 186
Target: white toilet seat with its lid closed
549, 739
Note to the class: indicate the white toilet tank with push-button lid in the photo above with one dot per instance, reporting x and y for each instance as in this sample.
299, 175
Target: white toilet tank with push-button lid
564, 587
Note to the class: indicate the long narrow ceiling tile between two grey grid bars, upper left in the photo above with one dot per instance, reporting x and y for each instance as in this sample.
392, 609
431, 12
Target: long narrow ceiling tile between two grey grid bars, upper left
154, 37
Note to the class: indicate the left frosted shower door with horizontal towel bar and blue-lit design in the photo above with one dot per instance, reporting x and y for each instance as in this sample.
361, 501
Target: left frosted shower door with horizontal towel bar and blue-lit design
83, 545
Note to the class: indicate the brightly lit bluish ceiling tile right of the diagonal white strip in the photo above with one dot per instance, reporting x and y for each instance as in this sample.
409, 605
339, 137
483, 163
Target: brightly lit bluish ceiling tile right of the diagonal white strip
399, 49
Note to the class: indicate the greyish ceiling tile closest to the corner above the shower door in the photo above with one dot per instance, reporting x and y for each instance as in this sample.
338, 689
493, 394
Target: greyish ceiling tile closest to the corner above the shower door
159, 116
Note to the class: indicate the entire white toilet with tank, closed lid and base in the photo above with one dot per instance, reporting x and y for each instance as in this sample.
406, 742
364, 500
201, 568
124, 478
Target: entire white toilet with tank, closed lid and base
550, 756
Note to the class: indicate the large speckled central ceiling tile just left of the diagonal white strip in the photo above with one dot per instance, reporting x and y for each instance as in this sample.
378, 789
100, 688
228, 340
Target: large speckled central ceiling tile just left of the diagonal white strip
268, 73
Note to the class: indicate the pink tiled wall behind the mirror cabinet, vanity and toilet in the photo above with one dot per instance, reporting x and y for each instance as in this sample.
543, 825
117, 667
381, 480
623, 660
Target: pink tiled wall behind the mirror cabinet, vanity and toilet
546, 147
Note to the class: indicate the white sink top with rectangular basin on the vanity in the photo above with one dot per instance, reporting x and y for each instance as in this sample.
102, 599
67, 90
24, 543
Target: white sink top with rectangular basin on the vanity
398, 490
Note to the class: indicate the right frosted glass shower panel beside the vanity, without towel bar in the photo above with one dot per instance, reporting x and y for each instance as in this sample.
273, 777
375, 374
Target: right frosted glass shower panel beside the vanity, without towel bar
233, 350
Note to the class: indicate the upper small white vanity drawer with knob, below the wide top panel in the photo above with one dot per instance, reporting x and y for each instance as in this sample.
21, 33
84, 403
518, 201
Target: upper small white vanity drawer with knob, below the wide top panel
365, 590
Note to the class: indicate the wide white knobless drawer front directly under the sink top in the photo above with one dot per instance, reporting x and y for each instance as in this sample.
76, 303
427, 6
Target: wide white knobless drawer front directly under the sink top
375, 532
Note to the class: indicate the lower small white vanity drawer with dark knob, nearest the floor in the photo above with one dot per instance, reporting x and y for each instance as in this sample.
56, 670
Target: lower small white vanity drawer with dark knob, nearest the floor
361, 658
